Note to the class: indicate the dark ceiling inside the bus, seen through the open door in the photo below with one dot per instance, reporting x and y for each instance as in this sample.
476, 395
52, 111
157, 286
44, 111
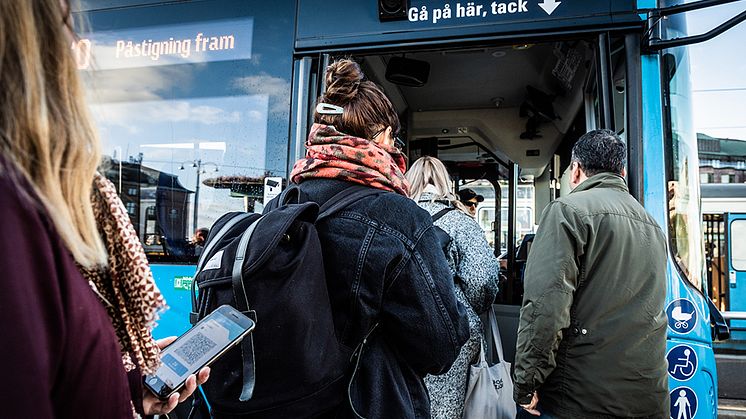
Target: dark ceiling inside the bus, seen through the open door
497, 104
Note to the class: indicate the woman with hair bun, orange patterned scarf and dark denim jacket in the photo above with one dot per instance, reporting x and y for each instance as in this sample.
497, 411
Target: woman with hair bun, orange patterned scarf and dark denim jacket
389, 282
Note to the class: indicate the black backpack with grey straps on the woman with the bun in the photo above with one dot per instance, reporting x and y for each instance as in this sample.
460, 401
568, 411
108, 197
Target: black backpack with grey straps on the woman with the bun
270, 267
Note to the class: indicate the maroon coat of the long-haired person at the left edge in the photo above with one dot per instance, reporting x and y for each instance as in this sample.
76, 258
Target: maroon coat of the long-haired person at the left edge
60, 355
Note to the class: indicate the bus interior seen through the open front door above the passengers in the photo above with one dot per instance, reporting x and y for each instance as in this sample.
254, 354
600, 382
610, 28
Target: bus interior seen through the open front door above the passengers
503, 119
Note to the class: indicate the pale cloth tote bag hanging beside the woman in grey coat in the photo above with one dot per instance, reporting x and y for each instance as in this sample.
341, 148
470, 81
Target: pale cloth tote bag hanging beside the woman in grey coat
489, 393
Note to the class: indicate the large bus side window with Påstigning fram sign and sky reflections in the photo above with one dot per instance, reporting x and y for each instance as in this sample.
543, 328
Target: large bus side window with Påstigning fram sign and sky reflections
190, 128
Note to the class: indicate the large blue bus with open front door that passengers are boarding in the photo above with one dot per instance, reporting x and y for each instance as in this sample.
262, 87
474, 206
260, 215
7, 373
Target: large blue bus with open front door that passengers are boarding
204, 105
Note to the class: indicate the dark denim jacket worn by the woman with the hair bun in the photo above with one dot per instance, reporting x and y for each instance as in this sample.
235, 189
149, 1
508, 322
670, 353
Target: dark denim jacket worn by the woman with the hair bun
385, 265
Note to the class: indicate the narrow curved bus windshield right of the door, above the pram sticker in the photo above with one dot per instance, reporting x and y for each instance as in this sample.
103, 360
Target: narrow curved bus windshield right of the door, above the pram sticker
683, 162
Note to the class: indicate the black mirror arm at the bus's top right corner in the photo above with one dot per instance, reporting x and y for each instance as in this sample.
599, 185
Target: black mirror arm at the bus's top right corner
653, 41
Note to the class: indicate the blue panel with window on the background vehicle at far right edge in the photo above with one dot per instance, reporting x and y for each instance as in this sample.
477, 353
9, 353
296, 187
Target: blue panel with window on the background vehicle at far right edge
735, 260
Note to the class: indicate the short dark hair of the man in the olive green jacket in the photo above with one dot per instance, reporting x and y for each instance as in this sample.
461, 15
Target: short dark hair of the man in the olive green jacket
600, 151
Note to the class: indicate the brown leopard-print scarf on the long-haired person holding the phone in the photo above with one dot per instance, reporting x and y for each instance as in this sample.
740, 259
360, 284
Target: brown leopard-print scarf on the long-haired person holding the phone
125, 286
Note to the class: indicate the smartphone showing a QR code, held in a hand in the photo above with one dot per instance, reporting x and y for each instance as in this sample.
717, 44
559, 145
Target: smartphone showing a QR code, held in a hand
210, 338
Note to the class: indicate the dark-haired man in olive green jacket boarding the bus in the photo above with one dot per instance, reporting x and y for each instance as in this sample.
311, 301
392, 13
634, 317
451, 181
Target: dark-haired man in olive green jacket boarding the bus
592, 334
